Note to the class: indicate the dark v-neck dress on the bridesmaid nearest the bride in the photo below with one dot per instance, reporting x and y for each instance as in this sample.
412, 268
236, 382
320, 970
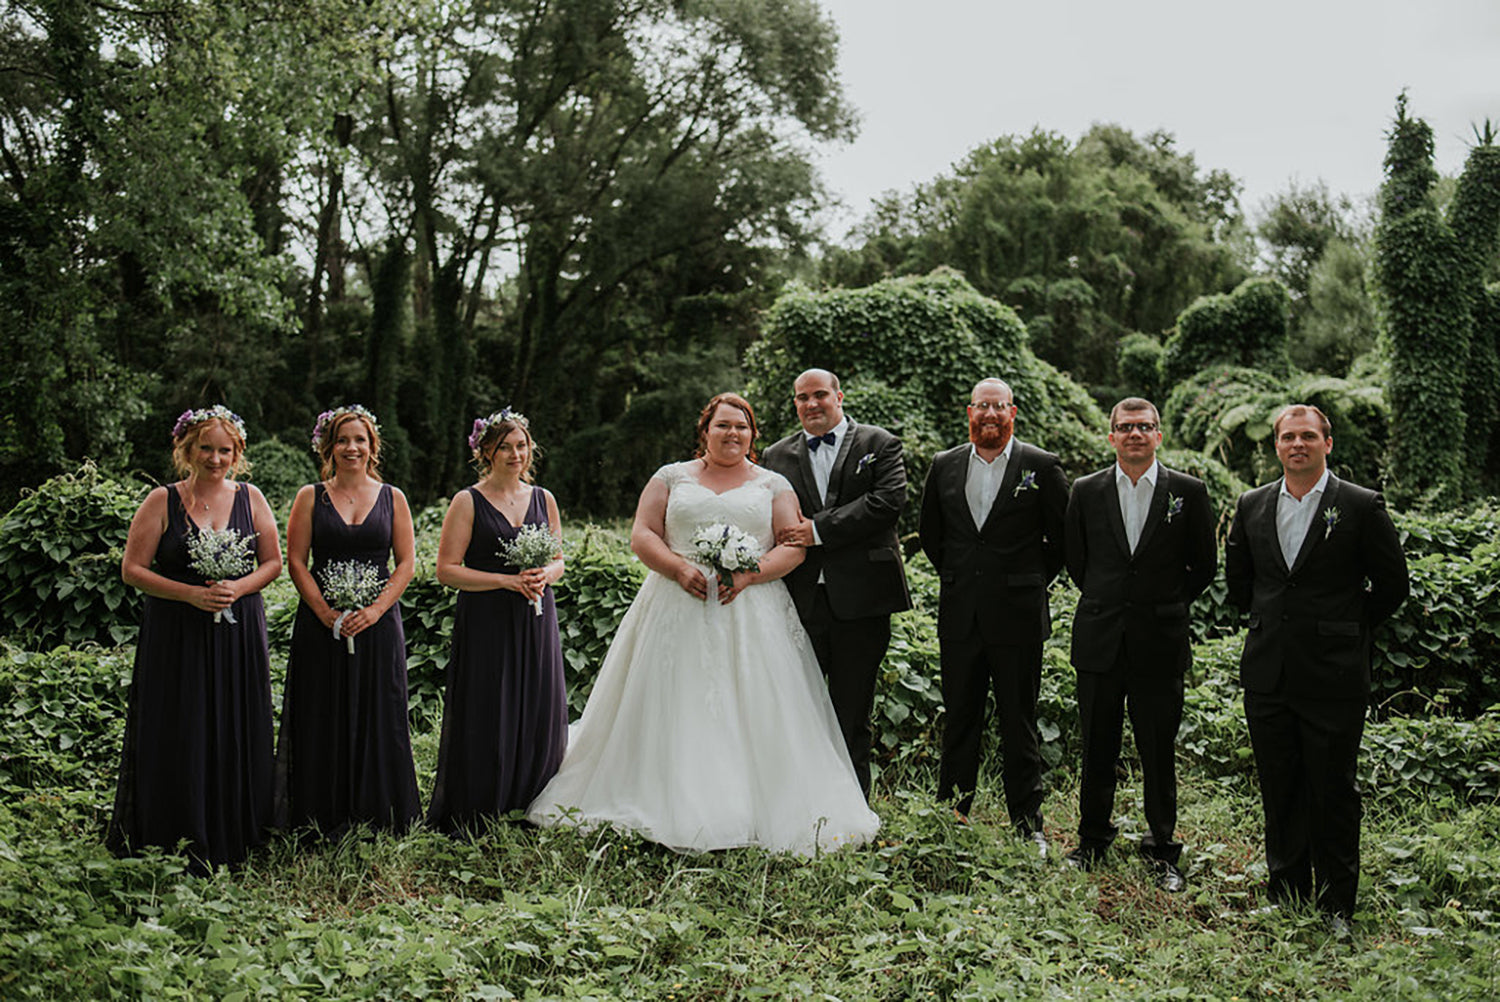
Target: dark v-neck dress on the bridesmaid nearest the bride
505, 713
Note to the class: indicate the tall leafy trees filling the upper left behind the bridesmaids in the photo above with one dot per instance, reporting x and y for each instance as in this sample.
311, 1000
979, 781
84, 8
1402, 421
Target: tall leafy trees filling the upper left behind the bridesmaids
431, 208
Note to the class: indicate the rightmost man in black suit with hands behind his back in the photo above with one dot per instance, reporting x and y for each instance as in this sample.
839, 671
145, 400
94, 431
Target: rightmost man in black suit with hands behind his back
1318, 565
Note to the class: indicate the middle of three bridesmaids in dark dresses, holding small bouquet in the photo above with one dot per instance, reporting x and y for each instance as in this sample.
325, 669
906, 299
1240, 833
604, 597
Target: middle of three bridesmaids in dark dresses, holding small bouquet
344, 755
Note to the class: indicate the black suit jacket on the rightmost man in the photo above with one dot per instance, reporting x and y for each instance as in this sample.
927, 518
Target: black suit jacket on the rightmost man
1312, 622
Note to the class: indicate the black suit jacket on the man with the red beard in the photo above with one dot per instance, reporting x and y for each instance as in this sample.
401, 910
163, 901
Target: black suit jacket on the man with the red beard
997, 575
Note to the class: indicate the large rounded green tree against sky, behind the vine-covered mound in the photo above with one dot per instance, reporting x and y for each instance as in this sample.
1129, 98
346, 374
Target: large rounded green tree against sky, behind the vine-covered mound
1087, 241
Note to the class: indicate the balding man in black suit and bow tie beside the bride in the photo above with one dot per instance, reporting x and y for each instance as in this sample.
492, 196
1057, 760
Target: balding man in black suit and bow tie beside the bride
851, 484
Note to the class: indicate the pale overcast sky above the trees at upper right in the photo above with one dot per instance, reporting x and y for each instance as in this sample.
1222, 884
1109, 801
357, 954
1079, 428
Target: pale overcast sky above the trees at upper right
1271, 92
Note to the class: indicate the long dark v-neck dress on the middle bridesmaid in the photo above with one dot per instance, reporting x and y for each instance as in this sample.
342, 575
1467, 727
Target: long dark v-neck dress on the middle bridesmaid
344, 754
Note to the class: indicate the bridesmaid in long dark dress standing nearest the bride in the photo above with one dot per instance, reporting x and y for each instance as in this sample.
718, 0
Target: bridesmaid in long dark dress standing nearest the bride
505, 719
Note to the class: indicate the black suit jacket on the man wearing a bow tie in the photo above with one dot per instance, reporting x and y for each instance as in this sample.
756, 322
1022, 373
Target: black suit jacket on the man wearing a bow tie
860, 557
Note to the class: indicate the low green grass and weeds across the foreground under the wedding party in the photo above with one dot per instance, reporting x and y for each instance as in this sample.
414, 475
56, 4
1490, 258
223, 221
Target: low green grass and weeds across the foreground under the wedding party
931, 910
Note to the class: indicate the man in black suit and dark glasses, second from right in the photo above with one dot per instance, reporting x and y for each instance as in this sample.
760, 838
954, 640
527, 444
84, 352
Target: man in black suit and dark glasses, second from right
1141, 550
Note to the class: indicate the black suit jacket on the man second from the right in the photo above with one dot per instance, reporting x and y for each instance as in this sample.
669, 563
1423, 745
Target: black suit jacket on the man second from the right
1138, 602
